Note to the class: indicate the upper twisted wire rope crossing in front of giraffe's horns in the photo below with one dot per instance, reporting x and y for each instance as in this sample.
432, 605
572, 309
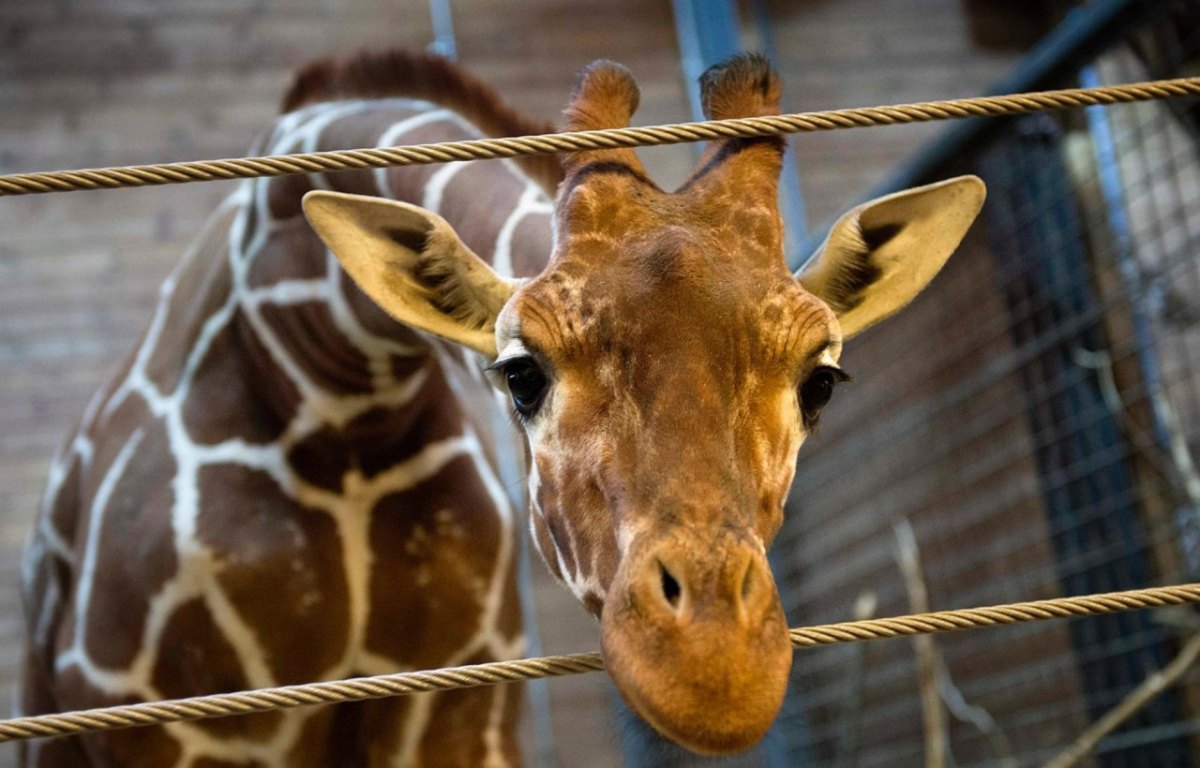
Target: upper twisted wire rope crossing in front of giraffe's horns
651, 136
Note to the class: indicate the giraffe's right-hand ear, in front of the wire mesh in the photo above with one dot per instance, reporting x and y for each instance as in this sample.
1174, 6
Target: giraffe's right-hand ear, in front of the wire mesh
883, 254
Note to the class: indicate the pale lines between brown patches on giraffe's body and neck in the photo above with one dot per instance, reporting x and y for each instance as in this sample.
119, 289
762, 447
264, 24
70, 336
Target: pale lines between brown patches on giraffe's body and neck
200, 567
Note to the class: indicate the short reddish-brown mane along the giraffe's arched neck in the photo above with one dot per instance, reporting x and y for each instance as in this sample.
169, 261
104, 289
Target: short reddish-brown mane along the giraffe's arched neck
428, 77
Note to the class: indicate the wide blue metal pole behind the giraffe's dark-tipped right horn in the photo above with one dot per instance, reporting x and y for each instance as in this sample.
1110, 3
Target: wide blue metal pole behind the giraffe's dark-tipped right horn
709, 32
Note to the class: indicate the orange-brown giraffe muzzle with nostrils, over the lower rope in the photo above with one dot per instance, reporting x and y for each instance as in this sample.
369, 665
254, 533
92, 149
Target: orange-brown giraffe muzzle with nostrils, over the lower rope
697, 641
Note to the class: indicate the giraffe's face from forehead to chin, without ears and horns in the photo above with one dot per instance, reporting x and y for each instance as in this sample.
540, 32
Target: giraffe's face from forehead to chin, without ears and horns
665, 389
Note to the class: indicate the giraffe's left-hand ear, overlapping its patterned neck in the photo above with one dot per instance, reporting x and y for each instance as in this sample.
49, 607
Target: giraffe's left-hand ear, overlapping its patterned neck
413, 266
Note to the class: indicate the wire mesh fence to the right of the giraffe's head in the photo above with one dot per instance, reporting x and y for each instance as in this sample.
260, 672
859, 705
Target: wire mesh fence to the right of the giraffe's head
1036, 418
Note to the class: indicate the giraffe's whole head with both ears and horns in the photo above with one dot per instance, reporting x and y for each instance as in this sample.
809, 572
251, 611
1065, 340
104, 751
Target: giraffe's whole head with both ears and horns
665, 369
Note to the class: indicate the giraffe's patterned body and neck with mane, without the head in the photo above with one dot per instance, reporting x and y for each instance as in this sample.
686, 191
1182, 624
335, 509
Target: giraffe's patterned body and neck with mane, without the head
283, 484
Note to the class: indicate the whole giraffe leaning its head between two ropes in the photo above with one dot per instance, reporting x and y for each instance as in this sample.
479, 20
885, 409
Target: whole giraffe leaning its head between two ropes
296, 476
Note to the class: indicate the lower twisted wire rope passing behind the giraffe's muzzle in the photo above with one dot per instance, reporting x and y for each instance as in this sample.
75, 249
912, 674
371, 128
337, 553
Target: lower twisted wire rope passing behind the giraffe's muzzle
405, 683
